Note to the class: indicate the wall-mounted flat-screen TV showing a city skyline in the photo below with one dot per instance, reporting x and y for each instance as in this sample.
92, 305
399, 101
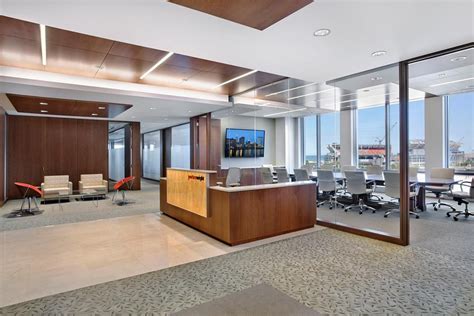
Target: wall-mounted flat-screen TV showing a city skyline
244, 143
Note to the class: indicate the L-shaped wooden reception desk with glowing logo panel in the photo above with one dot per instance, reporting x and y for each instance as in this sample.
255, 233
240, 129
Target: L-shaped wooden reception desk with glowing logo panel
240, 214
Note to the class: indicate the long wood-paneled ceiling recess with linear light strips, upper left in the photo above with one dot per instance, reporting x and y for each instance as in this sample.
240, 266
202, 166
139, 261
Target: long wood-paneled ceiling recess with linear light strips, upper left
83, 55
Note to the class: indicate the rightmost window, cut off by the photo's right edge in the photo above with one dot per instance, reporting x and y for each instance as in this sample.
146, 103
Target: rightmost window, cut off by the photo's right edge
460, 131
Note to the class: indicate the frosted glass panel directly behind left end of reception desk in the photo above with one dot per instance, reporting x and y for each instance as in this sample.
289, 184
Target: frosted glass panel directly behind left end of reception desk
180, 146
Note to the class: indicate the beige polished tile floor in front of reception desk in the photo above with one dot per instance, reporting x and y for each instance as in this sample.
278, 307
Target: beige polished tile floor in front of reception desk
41, 261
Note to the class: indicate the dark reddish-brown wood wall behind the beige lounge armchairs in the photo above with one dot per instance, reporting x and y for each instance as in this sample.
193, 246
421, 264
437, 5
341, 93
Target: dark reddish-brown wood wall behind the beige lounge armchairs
40, 146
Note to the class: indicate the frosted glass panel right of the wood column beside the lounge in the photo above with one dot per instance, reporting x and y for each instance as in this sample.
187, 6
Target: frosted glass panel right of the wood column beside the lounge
151, 155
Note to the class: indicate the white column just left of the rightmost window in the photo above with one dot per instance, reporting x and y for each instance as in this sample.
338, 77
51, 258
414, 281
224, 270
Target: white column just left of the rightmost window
434, 133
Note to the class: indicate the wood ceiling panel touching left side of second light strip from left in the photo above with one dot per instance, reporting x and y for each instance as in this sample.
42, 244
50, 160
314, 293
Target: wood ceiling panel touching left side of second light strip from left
123, 69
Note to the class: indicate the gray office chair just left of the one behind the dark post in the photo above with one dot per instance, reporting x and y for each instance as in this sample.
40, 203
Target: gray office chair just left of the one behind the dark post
356, 182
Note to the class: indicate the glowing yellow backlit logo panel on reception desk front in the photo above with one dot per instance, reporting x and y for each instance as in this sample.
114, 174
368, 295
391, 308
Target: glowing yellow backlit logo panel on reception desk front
187, 189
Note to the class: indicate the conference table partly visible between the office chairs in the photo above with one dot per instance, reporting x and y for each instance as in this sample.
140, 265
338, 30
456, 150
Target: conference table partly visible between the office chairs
421, 181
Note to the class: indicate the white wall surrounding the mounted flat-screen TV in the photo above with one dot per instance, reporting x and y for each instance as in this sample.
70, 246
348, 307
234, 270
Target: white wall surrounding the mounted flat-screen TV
247, 122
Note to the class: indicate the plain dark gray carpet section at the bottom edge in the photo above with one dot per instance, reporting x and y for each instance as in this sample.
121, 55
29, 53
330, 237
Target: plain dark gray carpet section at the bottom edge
261, 300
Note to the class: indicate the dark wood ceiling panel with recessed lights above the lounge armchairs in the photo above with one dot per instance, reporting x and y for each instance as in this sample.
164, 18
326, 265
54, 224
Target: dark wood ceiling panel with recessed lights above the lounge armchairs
33, 104
